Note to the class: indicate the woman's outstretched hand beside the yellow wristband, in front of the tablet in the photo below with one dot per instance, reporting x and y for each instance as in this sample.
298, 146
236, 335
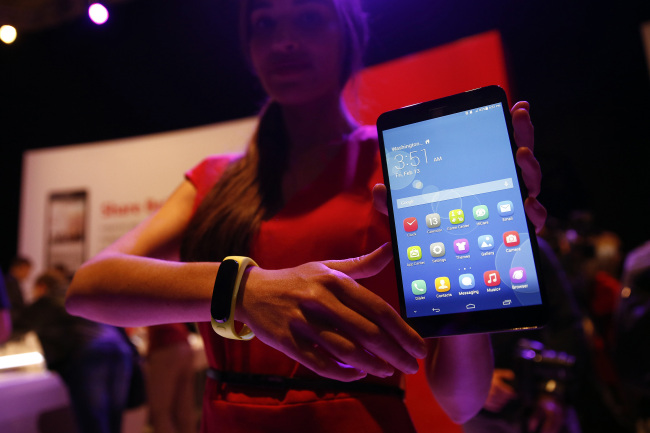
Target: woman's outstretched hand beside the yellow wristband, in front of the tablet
318, 315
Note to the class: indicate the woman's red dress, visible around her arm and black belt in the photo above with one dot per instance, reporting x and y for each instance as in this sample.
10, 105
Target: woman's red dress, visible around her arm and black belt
331, 218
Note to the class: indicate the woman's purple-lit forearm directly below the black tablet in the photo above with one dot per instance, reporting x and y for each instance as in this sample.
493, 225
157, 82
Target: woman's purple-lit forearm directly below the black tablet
459, 371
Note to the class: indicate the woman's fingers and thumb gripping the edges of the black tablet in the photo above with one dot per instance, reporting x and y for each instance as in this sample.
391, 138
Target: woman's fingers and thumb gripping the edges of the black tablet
531, 172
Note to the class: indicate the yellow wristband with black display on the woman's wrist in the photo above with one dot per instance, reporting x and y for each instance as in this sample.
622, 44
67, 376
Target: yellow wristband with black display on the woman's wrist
224, 298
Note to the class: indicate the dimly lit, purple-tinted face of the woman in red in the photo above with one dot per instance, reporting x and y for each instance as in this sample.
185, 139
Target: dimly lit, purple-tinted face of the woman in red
295, 47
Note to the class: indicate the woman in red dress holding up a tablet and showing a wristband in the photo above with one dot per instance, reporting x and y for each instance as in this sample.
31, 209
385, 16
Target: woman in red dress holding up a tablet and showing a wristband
301, 196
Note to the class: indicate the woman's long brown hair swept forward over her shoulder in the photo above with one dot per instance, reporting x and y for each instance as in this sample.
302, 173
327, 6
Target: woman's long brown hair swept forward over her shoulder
250, 189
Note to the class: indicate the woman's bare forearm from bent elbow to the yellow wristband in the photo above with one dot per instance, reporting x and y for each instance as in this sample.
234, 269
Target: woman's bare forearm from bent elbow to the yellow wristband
127, 290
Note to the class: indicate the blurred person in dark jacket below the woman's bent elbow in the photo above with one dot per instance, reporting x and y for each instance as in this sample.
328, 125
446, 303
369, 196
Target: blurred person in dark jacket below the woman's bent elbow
93, 359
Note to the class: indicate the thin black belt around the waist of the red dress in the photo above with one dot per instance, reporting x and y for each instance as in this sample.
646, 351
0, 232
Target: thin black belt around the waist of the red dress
298, 383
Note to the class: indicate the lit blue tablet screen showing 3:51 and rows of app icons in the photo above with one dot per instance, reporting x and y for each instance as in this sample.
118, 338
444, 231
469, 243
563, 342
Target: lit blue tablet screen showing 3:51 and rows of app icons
462, 235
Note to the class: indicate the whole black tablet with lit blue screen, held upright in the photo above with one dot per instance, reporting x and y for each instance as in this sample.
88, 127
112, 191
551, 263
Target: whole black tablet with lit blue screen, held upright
465, 252
